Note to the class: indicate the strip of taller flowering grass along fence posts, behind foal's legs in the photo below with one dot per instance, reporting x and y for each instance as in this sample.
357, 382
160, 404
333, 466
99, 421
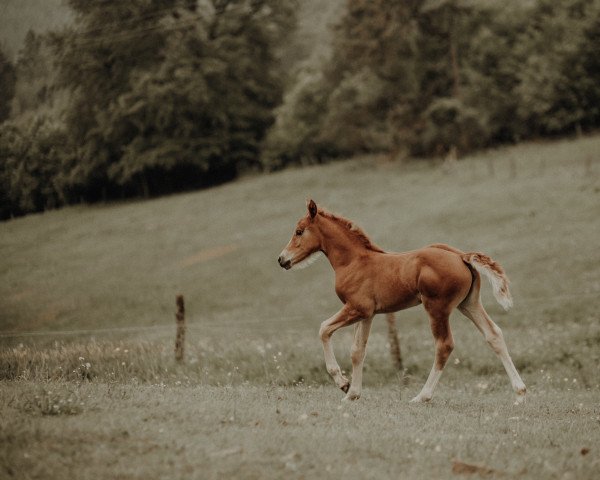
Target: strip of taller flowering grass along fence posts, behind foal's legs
570, 351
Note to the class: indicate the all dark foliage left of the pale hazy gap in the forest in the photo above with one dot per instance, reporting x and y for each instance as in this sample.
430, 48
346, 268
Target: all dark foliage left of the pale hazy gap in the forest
161, 96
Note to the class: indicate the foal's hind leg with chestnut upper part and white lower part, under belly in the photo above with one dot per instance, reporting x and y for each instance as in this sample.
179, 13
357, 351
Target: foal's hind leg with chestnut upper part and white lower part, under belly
444, 344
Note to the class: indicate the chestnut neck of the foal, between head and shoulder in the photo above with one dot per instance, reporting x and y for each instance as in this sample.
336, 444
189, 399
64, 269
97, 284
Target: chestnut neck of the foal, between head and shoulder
340, 247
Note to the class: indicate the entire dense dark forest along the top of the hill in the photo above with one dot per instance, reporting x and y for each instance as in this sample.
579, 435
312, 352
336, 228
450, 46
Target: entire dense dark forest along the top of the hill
147, 97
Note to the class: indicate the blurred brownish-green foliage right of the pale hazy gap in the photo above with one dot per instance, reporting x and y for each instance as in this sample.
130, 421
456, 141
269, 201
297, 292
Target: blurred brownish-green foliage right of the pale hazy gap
429, 77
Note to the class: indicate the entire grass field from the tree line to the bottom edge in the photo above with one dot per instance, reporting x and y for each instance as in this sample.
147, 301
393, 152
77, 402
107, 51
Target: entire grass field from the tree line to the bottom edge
89, 388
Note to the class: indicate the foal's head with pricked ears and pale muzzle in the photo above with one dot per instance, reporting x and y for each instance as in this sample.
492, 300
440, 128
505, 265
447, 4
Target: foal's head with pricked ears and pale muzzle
305, 244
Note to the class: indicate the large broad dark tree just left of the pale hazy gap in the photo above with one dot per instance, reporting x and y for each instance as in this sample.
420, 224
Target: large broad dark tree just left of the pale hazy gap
184, 105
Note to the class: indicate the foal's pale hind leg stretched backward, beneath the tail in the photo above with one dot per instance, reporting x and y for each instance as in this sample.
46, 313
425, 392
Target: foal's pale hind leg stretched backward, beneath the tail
473, 309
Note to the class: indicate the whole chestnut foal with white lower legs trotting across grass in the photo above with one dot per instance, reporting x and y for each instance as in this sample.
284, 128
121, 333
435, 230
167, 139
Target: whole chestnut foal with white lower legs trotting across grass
370, 281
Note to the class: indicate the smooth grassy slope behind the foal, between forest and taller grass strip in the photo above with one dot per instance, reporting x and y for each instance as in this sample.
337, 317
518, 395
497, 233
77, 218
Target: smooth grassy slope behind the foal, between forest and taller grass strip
533, 207
